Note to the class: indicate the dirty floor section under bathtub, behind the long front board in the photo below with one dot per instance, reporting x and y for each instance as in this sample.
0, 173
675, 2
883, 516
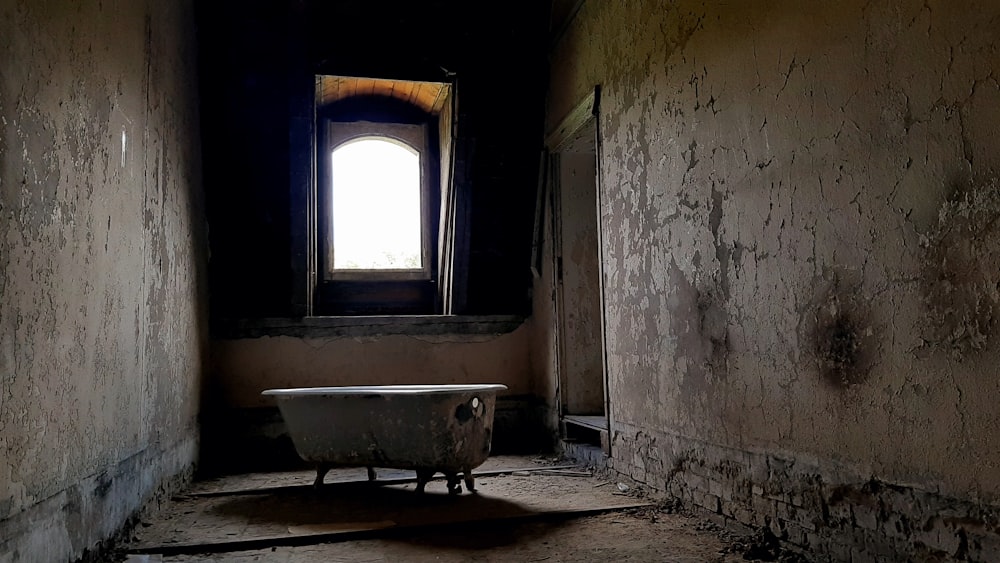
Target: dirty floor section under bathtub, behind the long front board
233, 518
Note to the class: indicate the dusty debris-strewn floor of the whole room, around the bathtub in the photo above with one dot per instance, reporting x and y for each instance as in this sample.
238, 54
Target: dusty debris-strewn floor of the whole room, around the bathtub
524, 510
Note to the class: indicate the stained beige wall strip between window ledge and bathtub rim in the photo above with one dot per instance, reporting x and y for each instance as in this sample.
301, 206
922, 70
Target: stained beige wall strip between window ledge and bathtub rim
244, 367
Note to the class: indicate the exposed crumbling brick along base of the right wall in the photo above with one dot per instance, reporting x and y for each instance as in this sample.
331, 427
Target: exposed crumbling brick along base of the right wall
832, 516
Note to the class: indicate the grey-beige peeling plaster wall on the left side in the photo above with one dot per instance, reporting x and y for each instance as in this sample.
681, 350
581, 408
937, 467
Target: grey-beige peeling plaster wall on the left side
101, 244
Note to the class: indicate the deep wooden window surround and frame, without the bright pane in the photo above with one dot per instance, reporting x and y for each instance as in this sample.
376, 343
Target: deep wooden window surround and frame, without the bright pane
421, 115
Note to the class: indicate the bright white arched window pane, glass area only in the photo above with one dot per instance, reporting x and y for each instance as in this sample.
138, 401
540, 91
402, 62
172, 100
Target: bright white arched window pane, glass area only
376, 206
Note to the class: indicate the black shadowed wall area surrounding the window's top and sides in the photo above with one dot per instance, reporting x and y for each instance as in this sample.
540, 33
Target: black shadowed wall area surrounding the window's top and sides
252, 55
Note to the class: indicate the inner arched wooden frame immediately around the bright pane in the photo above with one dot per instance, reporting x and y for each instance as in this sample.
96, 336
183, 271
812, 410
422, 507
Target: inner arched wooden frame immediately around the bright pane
337, 133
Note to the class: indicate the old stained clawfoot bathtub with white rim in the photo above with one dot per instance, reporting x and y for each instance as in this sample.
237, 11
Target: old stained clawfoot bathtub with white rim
427, 428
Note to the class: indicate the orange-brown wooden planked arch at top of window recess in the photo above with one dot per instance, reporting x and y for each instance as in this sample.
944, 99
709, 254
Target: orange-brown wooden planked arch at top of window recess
428, 96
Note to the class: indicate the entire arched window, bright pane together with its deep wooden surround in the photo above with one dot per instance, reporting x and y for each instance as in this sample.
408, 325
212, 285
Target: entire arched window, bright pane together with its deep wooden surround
384, 215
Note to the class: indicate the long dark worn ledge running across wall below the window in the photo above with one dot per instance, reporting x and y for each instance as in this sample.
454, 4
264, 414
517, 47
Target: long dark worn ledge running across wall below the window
366, 326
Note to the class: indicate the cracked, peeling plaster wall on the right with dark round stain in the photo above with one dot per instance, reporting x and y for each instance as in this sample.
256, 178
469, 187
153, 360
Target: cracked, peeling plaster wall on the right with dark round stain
801, 252
